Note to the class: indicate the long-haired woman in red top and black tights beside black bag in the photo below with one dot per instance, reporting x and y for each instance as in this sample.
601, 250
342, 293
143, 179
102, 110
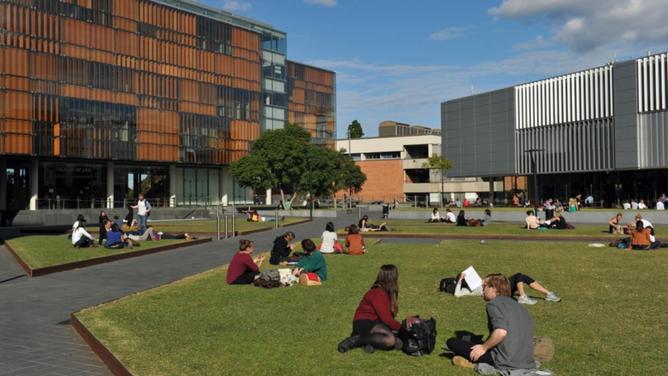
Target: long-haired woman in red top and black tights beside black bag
374, 326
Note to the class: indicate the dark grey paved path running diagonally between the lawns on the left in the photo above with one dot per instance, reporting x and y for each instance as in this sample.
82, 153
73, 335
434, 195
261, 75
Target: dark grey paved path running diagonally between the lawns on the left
35, 335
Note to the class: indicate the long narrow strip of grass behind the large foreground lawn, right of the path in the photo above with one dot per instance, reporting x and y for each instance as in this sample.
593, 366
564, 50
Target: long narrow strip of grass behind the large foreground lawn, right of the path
418, 226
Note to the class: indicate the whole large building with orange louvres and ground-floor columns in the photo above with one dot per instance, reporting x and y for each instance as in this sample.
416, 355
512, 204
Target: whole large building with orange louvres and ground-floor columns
103, 99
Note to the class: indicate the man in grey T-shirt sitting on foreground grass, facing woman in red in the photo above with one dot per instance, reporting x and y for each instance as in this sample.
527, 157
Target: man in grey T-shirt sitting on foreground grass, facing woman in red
510, 342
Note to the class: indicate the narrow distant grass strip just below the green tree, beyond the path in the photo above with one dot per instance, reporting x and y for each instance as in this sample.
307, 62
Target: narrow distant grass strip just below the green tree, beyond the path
209, 226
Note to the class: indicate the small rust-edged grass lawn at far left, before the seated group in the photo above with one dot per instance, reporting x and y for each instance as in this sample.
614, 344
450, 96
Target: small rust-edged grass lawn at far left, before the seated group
39, 251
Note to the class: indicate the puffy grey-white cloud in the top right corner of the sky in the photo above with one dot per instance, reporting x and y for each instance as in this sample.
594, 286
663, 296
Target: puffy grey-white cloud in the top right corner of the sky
588, 25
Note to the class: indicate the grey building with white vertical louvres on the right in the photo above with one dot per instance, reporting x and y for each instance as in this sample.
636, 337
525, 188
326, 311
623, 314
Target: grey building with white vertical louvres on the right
600, 131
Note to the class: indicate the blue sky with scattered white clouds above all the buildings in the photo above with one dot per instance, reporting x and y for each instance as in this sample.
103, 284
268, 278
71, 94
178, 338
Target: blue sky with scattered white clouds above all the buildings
398, 60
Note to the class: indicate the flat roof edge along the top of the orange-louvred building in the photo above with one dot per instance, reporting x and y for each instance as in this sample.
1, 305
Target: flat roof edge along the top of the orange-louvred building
221, 15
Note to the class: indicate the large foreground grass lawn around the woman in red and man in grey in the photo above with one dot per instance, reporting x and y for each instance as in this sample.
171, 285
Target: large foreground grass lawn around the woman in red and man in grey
612, 320
